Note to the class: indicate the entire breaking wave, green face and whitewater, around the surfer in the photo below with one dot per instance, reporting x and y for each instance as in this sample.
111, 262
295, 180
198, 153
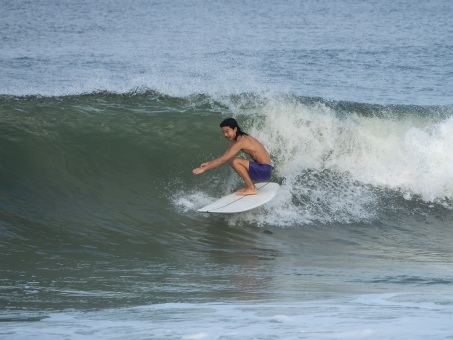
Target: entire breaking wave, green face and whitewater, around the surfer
95, 156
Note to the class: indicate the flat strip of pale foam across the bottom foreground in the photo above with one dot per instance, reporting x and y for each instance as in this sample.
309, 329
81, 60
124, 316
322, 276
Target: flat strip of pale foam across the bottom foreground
376, 316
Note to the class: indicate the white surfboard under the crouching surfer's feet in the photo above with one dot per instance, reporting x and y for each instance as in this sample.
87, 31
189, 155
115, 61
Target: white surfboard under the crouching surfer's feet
233, 203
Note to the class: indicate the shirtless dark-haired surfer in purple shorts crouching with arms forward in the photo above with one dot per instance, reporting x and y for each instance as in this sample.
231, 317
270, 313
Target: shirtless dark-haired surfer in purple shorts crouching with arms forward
259, 169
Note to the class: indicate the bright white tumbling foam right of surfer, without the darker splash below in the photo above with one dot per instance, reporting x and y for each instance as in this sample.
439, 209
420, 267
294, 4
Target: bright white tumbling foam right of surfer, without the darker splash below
408, 155
